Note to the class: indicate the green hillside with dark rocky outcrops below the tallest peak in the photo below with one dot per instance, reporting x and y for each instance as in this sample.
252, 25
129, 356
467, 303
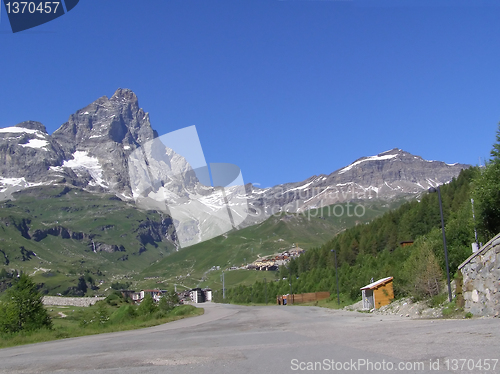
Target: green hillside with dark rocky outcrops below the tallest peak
60, 233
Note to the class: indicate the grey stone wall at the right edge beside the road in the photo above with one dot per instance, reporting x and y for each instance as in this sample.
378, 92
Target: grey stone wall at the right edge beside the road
481, 280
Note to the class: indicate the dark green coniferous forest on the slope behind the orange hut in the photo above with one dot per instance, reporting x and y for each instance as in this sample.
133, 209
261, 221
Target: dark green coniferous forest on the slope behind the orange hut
375, 250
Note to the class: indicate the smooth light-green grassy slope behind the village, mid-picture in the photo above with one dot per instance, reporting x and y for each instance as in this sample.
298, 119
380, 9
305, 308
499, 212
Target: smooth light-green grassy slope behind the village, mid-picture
193, 266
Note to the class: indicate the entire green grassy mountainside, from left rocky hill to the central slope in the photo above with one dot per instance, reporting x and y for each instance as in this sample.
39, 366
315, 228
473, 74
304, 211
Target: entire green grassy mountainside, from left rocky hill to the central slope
74, 242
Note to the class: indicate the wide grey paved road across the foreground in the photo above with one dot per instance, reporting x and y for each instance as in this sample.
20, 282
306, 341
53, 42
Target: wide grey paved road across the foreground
273, 339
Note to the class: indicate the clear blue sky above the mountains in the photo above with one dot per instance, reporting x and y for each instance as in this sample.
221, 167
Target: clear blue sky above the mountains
283, 89
